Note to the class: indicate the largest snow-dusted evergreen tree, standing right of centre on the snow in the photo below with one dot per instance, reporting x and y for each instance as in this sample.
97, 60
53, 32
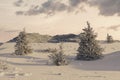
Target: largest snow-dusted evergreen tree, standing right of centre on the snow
89, 48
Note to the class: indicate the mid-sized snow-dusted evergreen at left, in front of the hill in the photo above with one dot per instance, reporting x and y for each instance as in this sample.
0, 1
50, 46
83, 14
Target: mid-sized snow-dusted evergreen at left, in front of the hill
22, 44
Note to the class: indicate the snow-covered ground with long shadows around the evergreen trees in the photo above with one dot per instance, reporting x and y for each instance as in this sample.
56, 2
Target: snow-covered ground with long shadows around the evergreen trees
36, 66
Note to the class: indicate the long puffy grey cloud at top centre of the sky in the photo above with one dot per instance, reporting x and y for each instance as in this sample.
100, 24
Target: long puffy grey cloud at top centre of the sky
49, 7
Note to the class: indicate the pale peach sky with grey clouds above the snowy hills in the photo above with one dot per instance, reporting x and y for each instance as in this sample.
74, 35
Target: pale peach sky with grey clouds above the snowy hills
59, 17
